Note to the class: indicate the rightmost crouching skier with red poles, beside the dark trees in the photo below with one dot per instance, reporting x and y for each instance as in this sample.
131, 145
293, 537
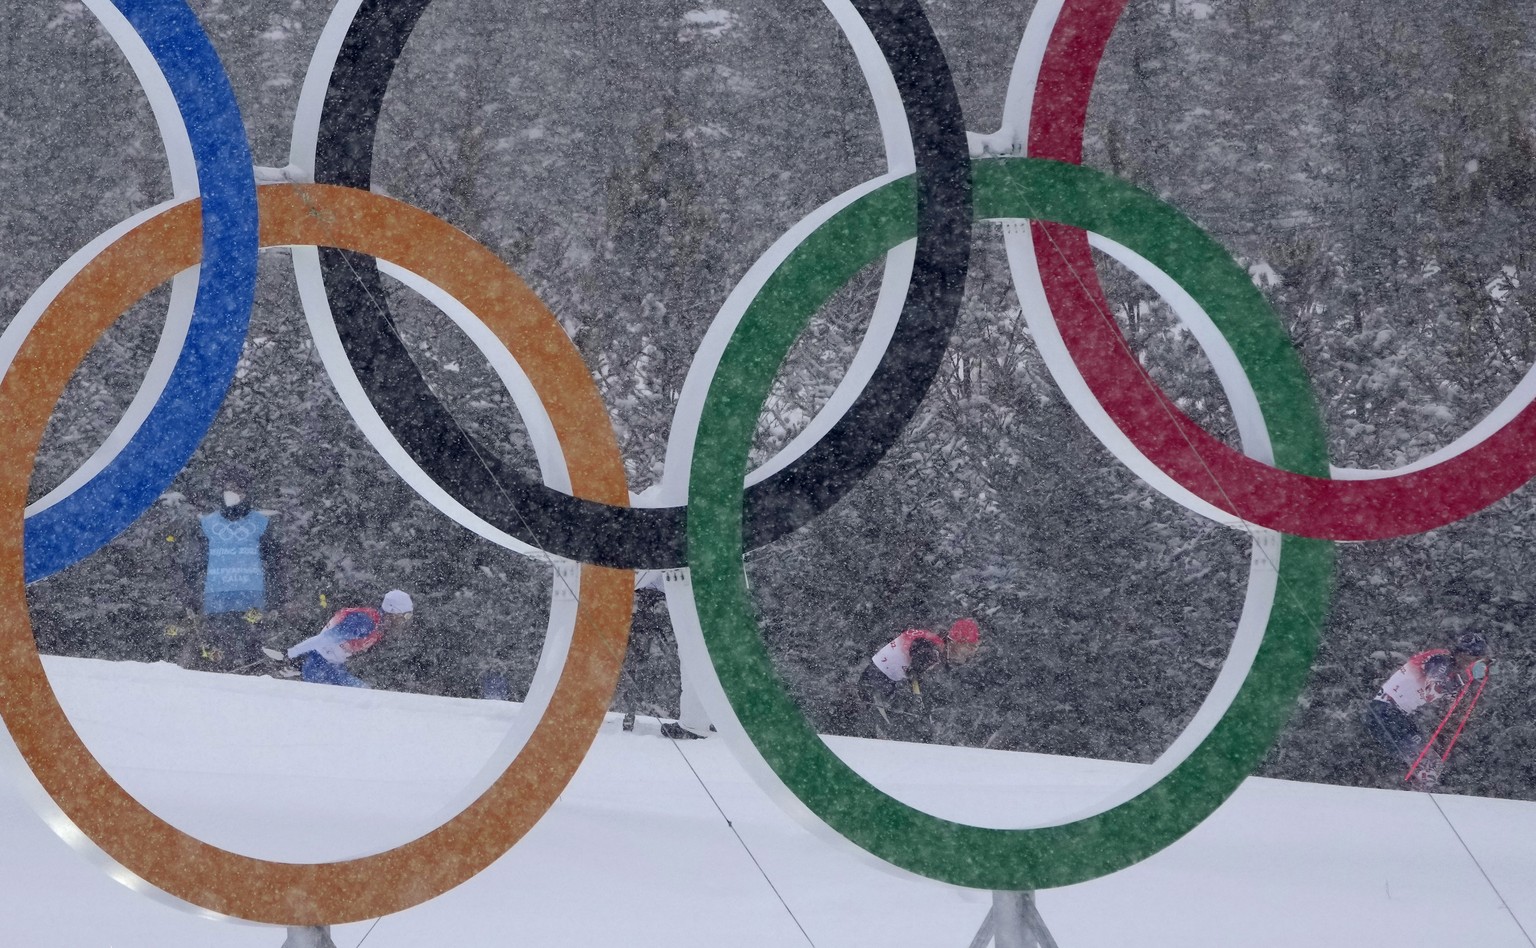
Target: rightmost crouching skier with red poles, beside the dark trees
1423, 681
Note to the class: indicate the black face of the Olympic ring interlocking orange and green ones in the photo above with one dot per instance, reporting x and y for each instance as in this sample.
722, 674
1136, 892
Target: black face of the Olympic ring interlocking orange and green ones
657, 537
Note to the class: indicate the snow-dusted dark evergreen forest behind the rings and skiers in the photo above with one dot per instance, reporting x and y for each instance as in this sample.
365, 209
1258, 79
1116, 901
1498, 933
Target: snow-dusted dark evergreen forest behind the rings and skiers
1371, 164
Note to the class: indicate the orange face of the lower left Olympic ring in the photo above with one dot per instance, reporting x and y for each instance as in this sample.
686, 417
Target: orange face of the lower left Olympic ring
371, 886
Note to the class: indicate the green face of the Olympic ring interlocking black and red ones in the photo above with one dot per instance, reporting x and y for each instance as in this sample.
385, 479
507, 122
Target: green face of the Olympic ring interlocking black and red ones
895, 832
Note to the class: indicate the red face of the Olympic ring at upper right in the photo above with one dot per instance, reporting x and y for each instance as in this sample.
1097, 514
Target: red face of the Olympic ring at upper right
1382, 506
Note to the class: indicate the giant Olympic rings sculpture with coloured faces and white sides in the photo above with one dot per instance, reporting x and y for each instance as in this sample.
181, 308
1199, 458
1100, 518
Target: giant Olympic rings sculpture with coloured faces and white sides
919, 216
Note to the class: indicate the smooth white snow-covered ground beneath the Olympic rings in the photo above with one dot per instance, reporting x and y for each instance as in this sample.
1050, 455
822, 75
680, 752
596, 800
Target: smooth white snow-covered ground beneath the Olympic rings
638, 854
